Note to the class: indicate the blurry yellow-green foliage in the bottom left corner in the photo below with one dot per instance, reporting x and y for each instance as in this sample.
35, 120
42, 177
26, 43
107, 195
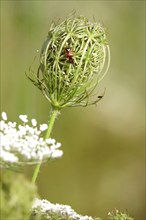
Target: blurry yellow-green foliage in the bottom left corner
17, 195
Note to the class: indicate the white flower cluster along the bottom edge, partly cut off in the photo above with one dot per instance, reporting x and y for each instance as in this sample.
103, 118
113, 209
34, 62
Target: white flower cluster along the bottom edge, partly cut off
46, 209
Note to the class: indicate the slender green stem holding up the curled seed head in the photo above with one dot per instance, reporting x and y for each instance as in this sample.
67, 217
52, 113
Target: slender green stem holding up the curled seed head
53, 115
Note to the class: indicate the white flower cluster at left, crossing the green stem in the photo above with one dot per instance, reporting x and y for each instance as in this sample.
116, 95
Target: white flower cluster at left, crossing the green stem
23, 144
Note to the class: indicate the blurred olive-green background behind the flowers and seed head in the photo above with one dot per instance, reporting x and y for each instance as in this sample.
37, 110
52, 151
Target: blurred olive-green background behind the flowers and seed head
103, 163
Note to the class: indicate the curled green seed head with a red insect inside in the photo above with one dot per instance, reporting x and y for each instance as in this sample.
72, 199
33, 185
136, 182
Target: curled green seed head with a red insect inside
73, 60
